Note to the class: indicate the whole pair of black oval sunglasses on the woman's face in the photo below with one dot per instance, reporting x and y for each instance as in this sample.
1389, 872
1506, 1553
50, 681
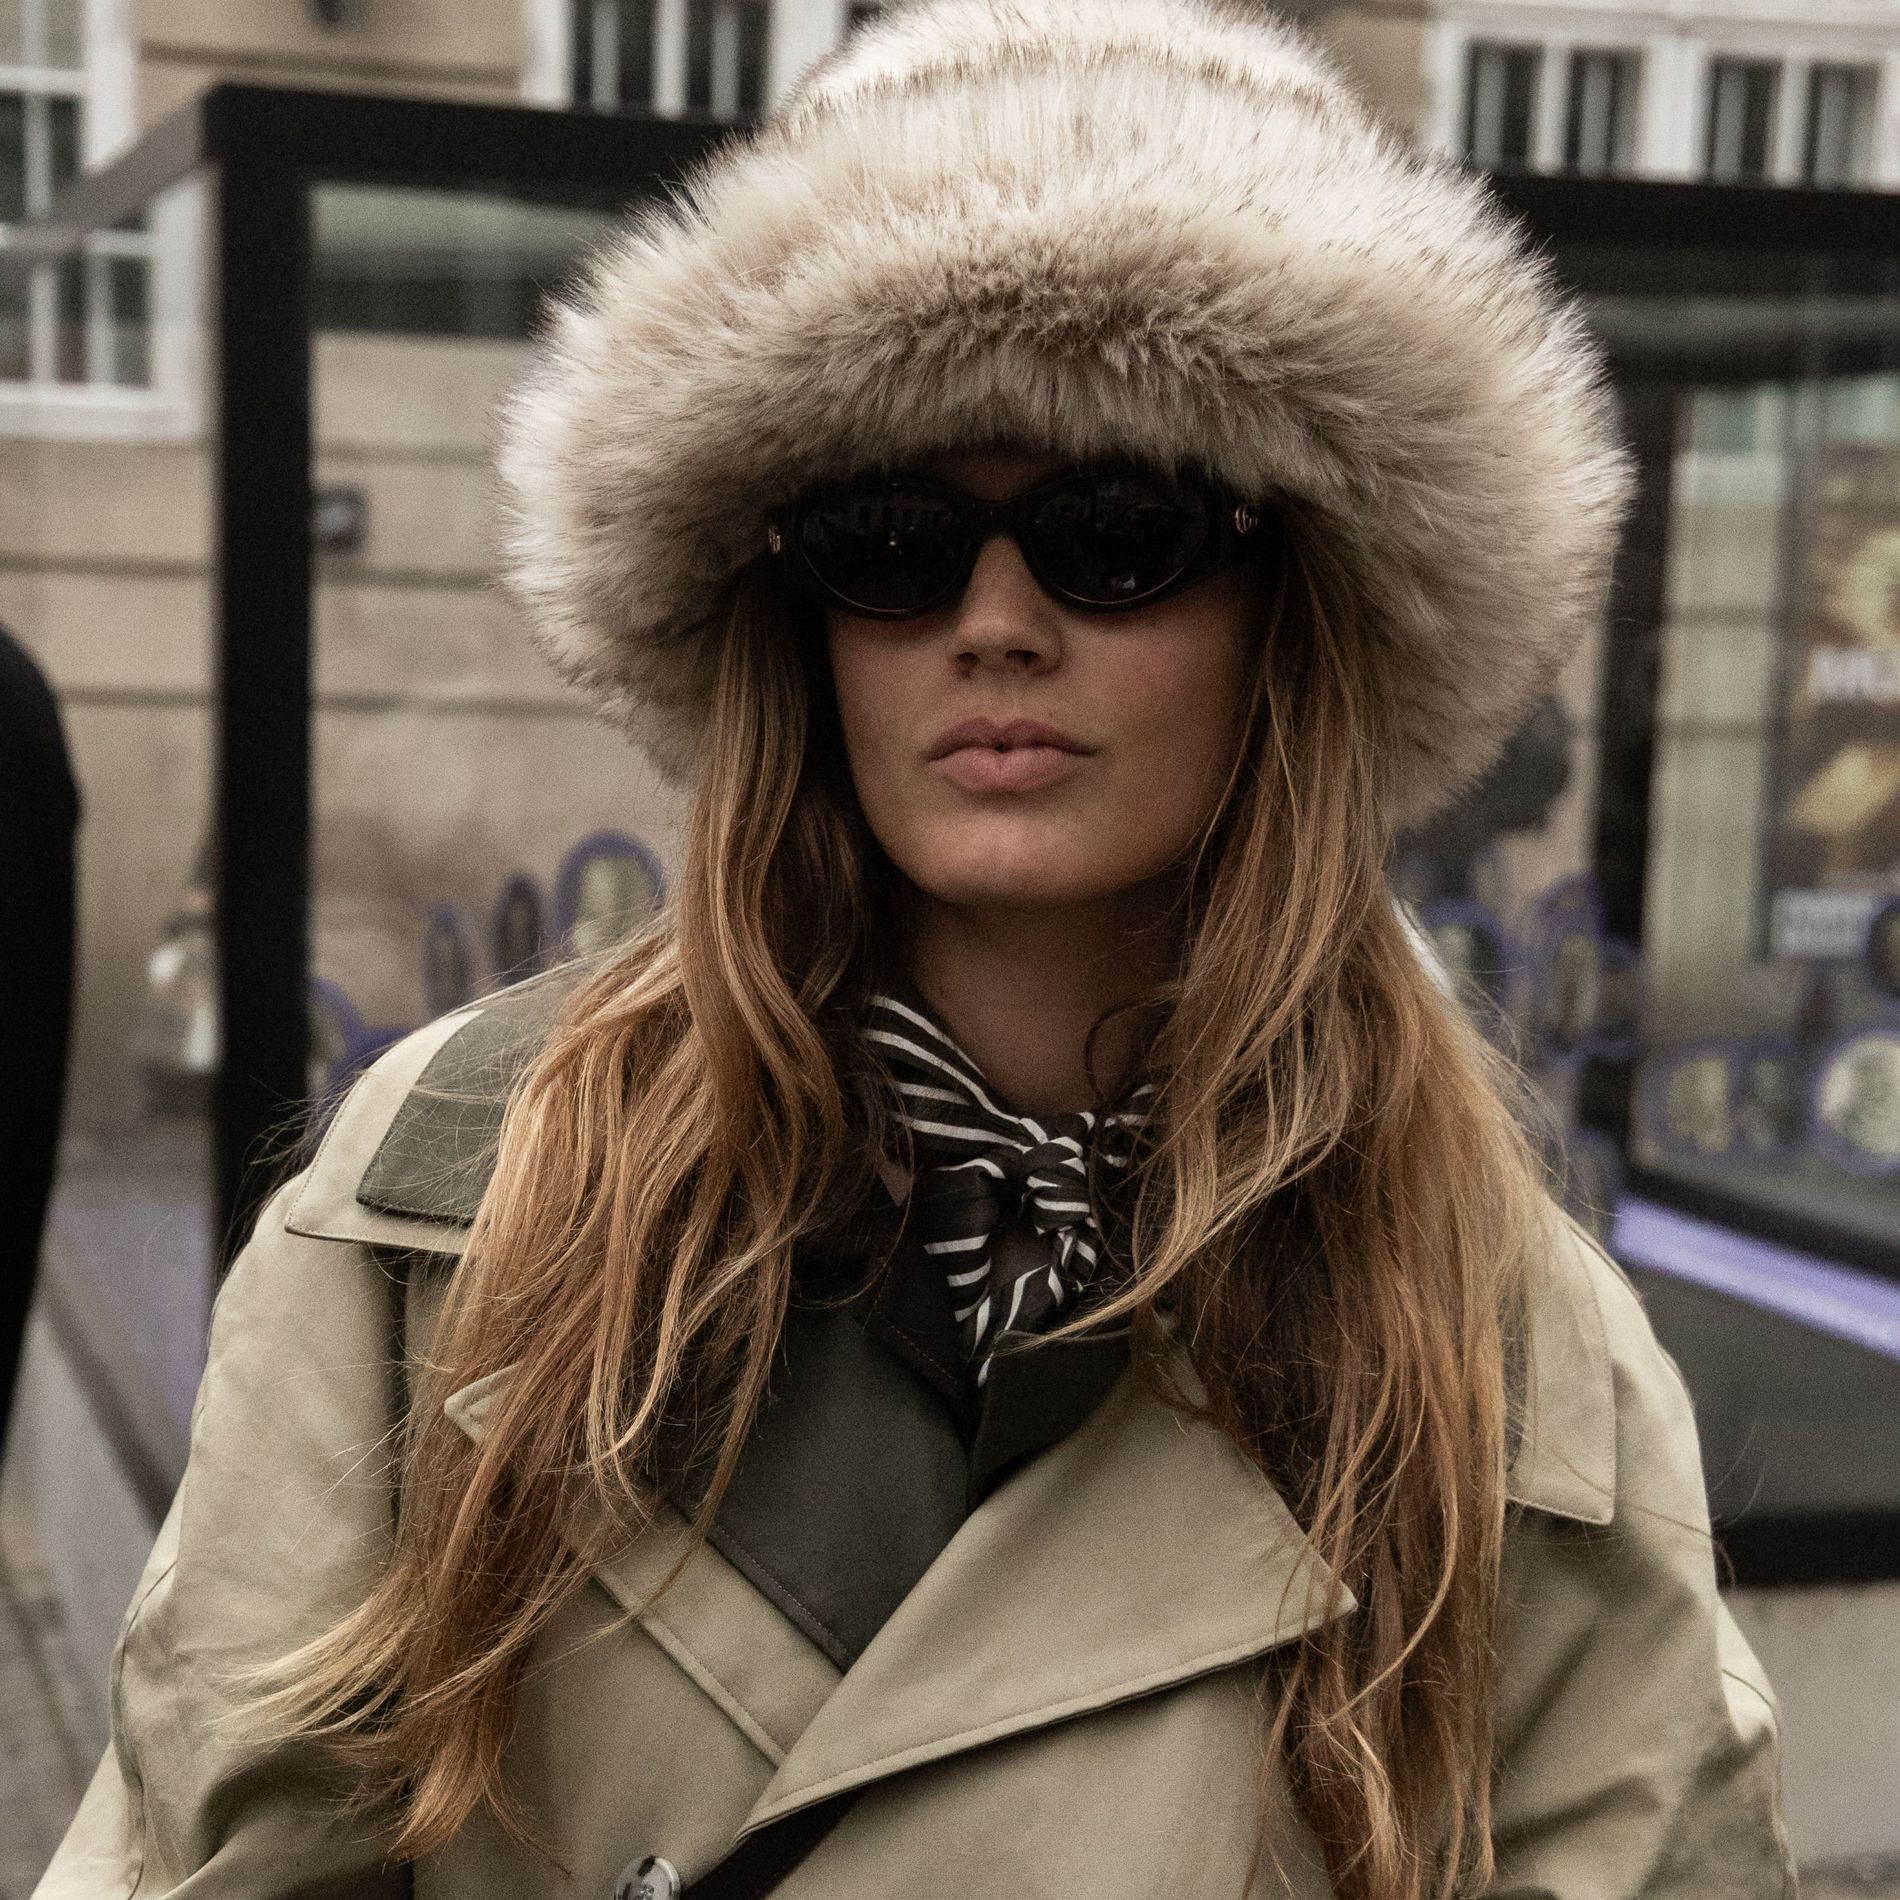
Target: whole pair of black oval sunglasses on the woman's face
1107, 539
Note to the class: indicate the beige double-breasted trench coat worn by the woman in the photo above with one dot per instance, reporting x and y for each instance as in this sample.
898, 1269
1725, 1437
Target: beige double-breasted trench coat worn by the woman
1061, 1709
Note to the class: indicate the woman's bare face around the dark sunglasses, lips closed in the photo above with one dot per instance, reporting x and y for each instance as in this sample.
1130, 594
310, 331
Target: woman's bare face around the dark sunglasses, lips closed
1012, 751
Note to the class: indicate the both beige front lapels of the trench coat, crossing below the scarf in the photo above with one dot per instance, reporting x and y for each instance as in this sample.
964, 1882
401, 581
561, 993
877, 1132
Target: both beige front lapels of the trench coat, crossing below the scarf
1137, 1553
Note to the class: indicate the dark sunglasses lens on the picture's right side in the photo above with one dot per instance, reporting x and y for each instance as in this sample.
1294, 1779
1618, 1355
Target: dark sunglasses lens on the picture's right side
1112, 541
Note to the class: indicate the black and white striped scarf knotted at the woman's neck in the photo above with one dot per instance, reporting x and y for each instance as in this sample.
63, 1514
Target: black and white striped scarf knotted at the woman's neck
978, 1162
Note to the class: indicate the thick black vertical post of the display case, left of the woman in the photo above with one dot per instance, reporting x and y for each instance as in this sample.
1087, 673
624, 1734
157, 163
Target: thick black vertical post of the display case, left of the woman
263, 664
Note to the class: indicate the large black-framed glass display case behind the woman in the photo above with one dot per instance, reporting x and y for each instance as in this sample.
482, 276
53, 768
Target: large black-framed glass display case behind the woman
332, 791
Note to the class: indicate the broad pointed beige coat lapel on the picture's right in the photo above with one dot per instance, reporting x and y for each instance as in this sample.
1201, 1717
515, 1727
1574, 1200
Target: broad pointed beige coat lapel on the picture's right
1139, 1553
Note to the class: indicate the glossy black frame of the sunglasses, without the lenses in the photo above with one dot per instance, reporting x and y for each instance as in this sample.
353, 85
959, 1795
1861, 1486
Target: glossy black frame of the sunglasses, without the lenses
1230, 520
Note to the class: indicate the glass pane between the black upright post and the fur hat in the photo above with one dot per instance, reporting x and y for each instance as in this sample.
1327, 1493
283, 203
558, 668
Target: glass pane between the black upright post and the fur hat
472, 820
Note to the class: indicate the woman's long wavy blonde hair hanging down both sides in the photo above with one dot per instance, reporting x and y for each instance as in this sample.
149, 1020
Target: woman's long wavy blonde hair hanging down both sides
1337, 1206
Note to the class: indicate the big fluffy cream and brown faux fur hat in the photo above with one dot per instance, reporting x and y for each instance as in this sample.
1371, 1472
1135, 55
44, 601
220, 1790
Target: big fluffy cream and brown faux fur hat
1150, 227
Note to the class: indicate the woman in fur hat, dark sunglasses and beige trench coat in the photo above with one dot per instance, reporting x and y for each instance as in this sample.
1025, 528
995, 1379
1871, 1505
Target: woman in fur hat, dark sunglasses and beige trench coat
1016, 1344
